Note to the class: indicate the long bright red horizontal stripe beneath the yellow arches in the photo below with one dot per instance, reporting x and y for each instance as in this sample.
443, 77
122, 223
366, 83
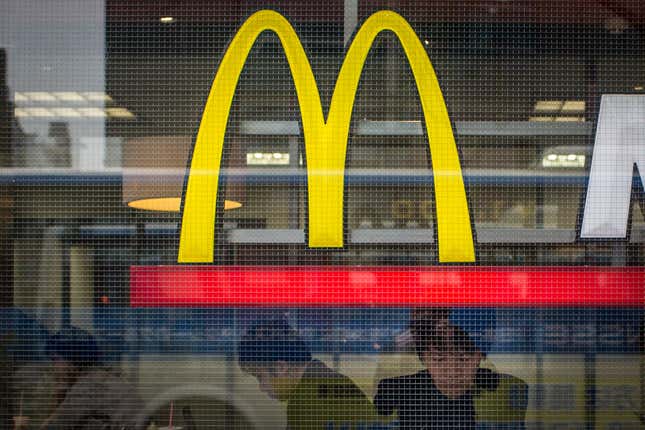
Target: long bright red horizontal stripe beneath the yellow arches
184, 286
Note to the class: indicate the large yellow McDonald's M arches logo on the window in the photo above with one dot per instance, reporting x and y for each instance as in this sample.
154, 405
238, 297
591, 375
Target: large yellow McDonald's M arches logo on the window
325, 141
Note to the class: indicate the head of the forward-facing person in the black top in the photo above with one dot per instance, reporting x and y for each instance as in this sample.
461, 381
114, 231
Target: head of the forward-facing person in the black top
452, 358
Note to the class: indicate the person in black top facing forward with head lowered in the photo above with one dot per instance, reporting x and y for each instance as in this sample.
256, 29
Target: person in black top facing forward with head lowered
442, 395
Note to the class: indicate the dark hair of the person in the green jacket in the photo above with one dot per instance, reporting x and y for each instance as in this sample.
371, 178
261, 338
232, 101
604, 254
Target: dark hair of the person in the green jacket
272, 341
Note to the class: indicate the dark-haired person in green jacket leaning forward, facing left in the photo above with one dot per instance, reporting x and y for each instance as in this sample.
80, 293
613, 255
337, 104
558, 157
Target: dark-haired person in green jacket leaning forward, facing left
316, 396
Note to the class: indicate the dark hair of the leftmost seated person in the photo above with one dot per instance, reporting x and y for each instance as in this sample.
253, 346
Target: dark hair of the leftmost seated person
75, 346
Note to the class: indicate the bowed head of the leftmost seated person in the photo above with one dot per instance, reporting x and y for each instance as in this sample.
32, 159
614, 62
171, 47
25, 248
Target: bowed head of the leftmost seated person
72, 351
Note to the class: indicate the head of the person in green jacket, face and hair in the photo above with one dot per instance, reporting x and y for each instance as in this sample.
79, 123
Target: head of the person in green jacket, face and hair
276, 355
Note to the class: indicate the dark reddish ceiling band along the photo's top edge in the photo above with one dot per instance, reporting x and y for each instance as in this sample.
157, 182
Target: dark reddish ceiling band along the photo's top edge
512, 11
